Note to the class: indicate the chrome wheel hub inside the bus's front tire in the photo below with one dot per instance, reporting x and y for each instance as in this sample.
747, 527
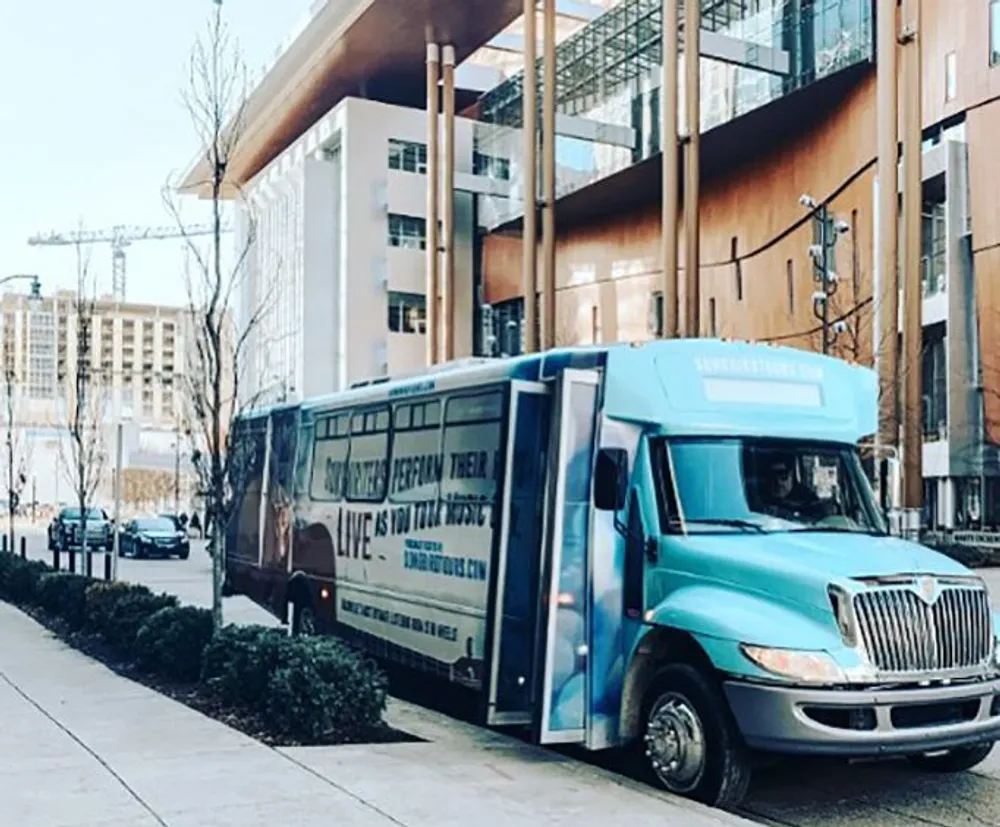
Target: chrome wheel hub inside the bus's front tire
675, 742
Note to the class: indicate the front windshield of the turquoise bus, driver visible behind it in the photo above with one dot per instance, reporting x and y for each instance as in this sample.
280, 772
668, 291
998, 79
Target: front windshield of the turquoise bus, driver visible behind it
770, 485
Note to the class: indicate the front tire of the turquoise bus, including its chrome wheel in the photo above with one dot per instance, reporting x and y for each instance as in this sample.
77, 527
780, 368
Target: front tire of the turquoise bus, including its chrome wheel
690, 742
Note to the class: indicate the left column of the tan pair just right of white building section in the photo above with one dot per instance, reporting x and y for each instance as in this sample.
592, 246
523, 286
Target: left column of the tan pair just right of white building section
529, 252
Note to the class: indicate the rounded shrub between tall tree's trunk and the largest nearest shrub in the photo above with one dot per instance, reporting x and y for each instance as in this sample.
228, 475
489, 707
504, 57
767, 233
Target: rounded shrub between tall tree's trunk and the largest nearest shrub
238, 662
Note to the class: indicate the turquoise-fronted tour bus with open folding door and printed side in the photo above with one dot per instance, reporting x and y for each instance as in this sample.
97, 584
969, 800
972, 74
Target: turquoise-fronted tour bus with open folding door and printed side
670, 547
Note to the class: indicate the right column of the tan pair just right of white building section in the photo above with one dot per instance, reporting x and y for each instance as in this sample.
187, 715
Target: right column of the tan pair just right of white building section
548, 174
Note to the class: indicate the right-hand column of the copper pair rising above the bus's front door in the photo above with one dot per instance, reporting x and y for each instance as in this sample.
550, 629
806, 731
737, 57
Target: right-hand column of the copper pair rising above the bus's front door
692, 146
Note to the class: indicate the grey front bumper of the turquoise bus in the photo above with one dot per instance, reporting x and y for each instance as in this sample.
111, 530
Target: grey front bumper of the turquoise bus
865, 723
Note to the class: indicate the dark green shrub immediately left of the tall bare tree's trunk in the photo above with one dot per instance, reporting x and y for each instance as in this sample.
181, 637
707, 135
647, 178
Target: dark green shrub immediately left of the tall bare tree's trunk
171, 642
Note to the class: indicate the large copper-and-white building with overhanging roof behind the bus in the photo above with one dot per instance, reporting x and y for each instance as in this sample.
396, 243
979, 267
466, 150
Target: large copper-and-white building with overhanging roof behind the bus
788, 108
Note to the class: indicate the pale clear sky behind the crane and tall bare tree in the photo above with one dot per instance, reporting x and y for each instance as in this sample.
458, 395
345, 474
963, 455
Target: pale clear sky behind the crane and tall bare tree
92, 125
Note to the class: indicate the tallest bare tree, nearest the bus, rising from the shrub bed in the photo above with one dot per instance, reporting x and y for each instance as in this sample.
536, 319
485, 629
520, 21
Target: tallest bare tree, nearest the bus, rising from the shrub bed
216, 99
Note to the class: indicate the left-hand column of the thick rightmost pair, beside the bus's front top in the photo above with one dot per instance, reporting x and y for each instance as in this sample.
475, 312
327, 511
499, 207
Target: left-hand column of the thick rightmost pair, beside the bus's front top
887, 310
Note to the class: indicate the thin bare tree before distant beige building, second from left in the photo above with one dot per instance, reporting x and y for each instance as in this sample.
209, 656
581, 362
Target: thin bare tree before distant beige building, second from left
82, 453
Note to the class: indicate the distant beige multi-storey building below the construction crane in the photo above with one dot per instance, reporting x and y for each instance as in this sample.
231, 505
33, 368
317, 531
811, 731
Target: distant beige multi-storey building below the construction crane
138, 357
